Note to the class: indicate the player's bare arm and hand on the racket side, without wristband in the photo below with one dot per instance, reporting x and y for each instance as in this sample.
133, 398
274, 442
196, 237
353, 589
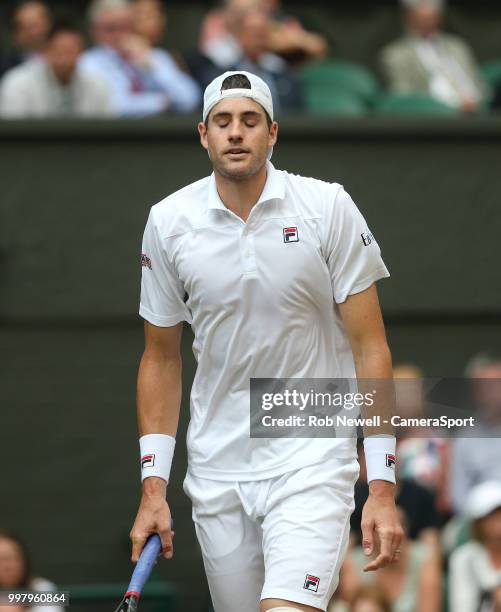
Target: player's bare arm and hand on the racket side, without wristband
158, 404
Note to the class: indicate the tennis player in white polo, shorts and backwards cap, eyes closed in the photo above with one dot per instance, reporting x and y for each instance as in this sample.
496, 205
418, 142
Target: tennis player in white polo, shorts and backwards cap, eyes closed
275, 273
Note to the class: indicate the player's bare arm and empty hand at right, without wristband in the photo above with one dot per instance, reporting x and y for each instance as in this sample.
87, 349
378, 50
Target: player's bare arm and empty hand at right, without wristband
362, 318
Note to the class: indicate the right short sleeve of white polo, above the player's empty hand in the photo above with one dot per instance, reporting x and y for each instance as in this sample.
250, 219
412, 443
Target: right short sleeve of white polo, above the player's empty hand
350, 249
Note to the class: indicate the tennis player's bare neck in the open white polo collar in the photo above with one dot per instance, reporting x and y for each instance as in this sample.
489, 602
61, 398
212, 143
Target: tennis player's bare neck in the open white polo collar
241, 196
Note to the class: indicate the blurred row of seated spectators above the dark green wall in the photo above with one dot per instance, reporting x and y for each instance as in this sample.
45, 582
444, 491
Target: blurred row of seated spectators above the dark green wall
117, 66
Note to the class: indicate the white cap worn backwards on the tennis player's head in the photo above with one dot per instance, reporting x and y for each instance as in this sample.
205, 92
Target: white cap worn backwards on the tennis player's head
259, 91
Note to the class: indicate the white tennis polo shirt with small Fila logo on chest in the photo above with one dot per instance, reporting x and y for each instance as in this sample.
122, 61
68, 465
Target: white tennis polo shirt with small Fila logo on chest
261, 297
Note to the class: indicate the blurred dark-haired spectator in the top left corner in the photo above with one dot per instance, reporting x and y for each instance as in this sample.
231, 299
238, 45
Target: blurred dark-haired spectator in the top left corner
31, 24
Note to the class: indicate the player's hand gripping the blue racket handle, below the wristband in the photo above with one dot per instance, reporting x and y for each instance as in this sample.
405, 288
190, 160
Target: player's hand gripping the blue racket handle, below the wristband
153, 517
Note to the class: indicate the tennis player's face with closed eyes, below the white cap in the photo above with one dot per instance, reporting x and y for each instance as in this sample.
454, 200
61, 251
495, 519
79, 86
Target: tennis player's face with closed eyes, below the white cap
238, 137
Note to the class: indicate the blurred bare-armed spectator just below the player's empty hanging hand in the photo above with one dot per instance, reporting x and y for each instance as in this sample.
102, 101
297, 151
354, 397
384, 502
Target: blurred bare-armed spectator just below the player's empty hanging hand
412, 583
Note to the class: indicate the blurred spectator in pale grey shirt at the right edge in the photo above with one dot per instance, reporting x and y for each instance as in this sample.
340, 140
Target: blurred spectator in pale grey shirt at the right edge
476, 460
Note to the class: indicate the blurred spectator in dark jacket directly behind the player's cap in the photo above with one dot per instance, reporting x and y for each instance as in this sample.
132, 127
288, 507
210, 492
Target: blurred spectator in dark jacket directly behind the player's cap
244, 47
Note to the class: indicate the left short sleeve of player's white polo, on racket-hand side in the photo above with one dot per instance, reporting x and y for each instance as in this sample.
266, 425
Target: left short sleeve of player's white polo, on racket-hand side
162, 293
